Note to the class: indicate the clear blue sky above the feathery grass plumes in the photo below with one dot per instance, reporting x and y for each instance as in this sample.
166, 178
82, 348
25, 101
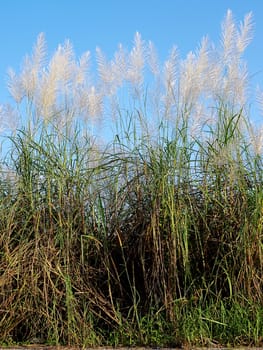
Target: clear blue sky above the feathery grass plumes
106, 23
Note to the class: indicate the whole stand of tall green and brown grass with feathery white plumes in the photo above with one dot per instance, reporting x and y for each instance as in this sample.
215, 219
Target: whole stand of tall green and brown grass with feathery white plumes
152, 235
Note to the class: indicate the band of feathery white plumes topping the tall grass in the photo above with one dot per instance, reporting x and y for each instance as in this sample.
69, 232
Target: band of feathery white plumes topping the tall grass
63, 89
